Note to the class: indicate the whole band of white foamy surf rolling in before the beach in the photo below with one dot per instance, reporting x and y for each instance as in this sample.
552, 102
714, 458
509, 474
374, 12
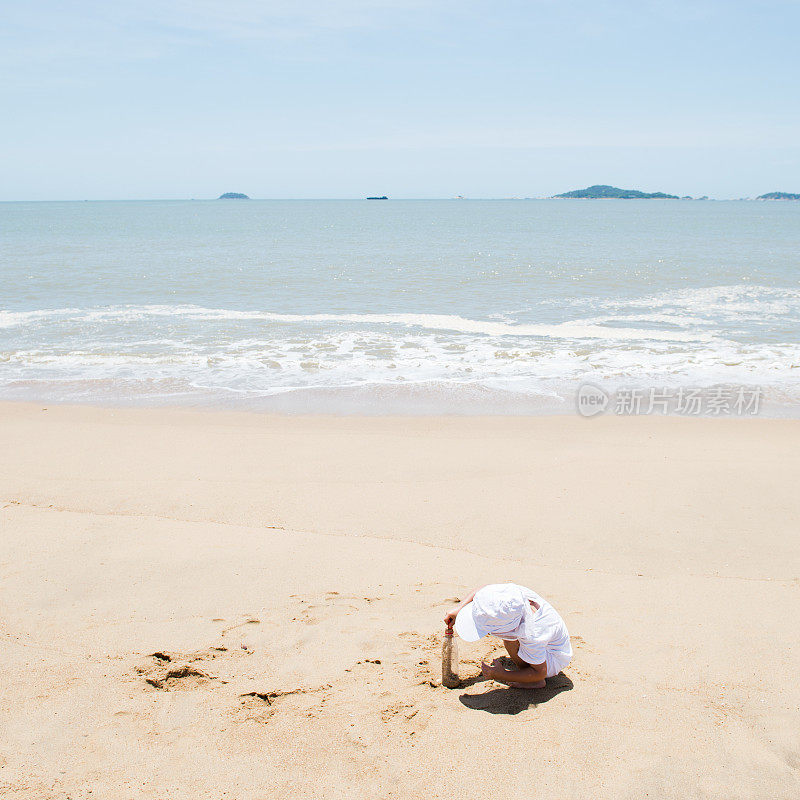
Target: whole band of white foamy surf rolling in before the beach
677, 337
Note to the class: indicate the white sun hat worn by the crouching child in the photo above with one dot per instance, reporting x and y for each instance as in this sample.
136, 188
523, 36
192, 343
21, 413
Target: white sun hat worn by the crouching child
499, 609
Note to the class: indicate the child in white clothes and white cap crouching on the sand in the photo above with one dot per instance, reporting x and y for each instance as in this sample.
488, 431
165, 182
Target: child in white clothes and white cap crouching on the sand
532, 631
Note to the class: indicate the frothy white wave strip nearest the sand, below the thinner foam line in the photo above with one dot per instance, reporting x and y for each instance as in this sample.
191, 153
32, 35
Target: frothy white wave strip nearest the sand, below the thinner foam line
348, 358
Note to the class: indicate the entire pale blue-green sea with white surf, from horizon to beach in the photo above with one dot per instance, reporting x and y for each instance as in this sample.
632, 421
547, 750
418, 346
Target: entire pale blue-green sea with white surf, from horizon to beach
403, 306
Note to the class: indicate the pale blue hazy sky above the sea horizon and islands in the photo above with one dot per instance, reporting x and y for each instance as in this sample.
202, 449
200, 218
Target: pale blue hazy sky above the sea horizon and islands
349, 98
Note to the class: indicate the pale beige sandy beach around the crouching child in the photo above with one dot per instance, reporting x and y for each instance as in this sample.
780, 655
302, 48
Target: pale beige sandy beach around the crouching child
221, 605
